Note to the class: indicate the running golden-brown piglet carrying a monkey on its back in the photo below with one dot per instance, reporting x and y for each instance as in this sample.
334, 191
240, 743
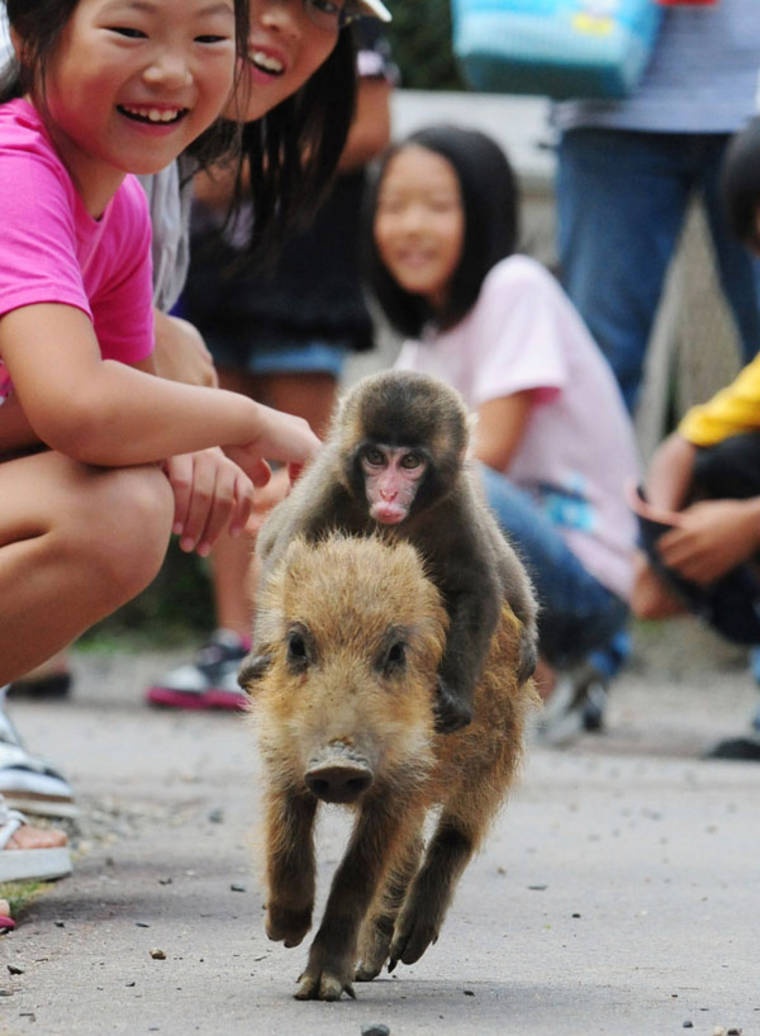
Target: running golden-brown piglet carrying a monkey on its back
342, 702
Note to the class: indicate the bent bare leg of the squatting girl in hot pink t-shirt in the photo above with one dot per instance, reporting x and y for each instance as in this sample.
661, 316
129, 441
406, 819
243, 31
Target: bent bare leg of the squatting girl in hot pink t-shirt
76, 543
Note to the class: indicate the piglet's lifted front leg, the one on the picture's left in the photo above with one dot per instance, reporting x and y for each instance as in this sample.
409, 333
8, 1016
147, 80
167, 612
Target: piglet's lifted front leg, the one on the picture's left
290, 867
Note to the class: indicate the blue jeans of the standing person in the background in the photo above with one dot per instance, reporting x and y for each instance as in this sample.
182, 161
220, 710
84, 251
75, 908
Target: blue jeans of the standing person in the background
622, 203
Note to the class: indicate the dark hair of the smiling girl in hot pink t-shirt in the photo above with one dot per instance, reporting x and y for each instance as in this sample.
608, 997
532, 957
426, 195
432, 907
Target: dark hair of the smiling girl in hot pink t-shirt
40, 24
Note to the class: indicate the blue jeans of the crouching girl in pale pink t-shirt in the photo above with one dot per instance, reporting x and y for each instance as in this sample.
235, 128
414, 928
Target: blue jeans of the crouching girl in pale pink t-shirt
577, 614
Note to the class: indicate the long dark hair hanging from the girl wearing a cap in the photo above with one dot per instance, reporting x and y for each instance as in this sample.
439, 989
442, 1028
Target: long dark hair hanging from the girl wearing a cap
291, 154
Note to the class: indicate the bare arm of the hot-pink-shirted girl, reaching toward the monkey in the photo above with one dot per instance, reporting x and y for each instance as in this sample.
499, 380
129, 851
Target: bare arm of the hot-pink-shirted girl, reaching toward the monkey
107, 414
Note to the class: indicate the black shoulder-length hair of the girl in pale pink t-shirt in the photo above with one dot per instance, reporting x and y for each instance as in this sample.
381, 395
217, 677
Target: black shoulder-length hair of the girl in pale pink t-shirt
490, 204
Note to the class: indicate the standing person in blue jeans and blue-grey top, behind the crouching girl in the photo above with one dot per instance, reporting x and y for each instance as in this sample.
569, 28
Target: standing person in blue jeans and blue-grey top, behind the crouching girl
627, 174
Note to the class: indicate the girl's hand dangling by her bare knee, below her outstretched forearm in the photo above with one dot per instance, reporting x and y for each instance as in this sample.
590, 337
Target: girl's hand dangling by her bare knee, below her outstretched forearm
211, 494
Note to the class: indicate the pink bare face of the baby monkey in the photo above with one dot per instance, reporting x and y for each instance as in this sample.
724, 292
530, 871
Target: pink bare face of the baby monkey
393, 476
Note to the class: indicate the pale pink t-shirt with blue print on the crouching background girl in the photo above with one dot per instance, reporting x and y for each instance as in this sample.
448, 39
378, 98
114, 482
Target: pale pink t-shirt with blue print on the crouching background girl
578, 450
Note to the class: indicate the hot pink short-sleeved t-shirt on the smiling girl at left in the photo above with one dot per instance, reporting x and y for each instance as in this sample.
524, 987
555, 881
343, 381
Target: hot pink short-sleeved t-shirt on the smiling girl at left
53, 251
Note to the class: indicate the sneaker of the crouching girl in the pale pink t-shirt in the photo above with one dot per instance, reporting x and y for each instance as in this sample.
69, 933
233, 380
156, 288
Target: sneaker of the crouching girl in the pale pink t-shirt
577, 705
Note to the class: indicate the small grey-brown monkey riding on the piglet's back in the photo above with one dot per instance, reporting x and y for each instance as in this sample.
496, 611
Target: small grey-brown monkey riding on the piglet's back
395, 462
